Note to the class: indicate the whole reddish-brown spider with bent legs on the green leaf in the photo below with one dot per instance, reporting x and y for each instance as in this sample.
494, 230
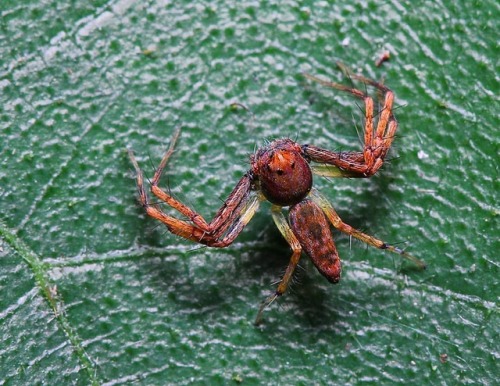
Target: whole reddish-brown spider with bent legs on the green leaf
282, 174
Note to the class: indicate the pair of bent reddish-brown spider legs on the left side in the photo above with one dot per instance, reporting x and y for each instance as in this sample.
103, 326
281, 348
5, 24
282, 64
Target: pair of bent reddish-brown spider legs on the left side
226, 225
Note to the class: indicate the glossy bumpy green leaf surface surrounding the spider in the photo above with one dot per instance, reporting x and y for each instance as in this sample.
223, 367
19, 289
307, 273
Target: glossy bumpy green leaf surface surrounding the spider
94, 292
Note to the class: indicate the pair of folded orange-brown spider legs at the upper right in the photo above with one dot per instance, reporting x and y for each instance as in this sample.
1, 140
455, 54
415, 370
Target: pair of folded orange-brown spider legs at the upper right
377, 141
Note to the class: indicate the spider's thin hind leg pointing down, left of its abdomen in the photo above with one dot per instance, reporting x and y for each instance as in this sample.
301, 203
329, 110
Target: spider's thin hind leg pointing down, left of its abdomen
288, 234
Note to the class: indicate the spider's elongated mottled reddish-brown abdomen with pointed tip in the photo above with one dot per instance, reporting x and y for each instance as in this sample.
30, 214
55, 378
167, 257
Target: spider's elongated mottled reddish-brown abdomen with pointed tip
311, 228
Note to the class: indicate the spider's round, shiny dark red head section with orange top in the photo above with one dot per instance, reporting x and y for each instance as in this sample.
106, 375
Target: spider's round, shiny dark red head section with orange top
283, 172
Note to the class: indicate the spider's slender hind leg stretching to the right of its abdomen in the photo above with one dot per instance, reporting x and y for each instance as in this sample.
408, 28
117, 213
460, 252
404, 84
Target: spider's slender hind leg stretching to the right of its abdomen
337, 222
